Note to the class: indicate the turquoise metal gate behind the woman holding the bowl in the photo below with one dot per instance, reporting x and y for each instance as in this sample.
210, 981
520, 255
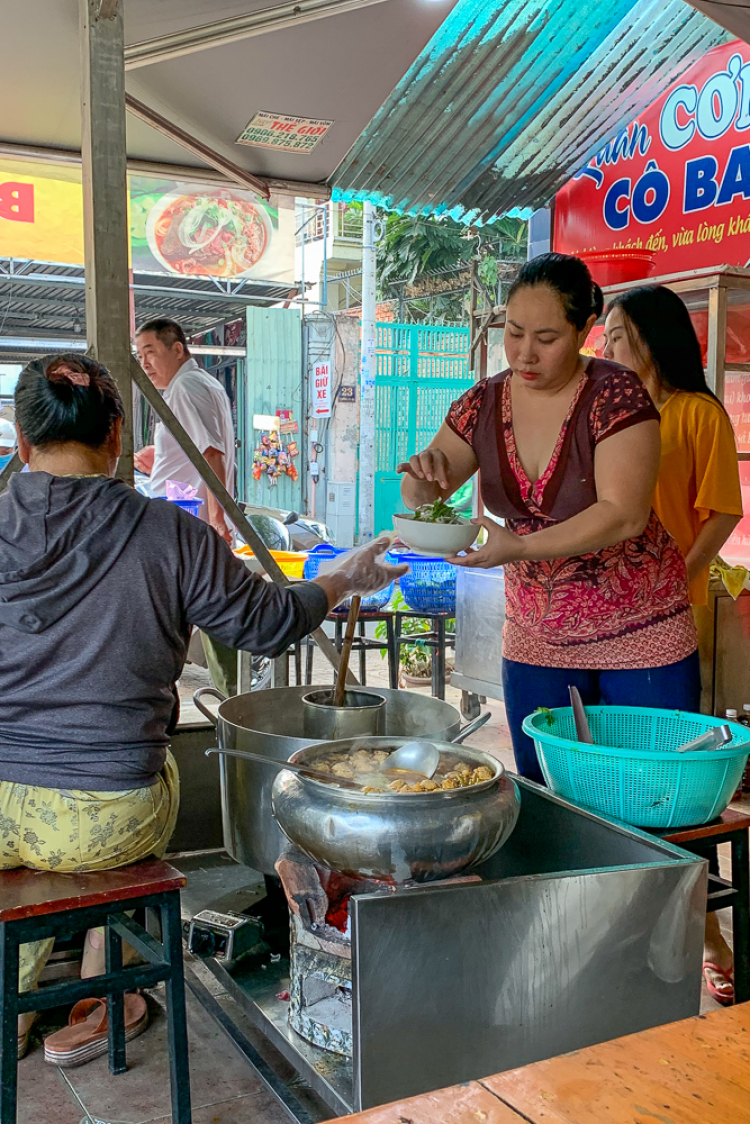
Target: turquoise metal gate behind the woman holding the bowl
420, 371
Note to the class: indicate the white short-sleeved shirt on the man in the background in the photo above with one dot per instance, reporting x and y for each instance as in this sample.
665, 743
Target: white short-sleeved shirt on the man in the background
202, 405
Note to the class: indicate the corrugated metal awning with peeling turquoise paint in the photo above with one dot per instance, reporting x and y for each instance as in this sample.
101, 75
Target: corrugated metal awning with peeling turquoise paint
511, 98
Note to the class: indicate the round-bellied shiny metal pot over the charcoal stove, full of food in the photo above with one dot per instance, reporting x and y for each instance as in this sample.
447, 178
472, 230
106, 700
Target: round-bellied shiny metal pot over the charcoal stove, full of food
421, 837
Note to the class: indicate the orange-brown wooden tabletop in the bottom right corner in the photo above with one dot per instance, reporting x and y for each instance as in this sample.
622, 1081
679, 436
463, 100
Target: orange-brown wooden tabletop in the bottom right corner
697, 1072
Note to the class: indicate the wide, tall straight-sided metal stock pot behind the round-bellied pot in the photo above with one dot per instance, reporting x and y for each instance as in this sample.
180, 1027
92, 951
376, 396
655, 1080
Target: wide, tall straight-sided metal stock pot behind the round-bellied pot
270, 723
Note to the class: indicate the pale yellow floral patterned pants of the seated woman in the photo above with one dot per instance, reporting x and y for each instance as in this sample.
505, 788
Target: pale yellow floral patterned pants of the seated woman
50, 829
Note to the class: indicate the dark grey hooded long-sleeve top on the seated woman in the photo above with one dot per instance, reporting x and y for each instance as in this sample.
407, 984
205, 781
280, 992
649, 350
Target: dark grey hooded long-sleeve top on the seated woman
100, 588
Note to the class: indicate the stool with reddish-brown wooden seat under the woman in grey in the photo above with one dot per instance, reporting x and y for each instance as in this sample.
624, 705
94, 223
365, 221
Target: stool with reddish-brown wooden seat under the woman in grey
35, 905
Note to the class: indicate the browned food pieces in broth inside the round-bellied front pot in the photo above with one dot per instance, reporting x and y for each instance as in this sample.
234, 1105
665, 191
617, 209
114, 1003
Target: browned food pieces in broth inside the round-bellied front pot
364, 765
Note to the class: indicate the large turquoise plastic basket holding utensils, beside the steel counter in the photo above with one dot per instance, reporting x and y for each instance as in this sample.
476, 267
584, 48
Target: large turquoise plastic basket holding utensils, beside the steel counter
631, 774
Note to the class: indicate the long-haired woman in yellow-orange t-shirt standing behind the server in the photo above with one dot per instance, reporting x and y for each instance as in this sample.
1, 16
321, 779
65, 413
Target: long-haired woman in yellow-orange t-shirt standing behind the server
698, 497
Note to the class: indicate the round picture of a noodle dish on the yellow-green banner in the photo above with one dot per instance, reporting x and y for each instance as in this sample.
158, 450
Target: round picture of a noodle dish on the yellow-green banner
215, 234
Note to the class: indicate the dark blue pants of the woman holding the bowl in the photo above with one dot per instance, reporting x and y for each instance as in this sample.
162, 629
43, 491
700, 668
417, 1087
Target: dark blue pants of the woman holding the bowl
528, 687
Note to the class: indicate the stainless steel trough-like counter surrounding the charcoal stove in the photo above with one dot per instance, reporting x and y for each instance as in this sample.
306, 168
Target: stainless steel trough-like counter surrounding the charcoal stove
581, 931
